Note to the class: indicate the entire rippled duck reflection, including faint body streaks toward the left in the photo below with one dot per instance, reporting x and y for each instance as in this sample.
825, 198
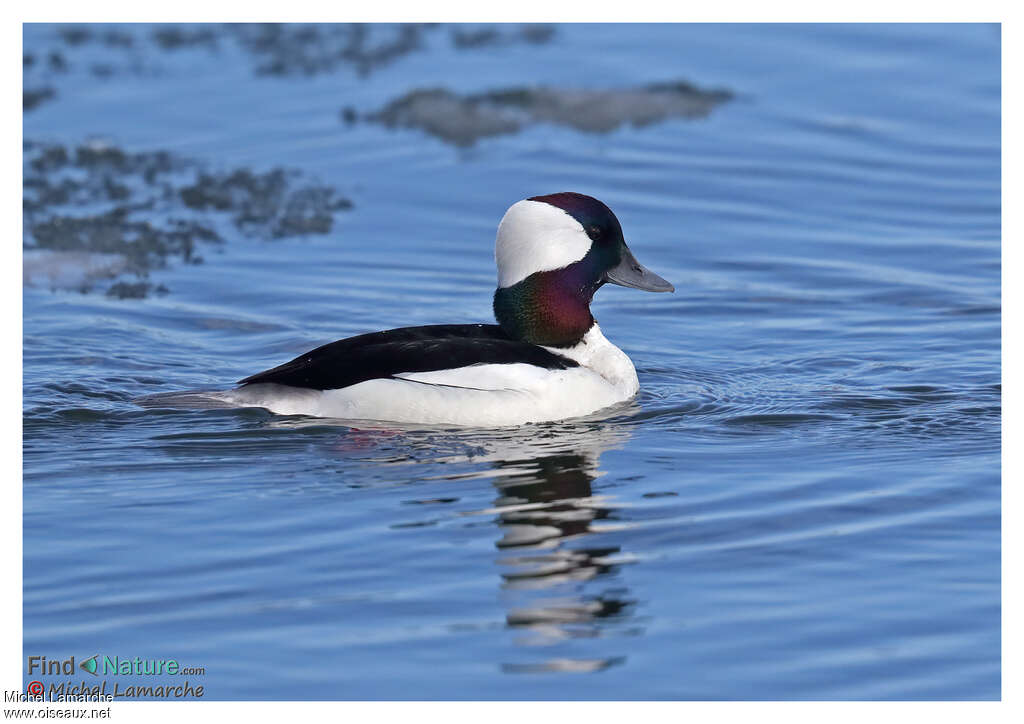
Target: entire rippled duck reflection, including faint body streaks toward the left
560, 590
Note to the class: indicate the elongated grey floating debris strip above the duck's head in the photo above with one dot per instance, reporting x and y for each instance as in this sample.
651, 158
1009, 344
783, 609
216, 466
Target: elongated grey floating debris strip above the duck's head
462, 120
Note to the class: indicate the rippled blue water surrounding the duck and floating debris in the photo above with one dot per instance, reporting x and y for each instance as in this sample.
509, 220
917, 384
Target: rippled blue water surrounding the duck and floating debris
803, 502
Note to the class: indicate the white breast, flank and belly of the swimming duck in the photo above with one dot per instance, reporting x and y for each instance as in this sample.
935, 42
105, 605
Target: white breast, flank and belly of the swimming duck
478, 396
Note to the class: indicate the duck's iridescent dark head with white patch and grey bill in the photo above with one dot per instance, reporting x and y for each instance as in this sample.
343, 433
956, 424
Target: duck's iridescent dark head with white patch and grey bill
553, 253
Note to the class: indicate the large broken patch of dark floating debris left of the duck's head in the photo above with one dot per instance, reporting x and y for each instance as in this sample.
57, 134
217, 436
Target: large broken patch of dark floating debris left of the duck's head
148, 209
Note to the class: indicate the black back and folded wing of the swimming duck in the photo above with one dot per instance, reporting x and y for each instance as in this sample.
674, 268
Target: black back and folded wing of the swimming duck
385, 355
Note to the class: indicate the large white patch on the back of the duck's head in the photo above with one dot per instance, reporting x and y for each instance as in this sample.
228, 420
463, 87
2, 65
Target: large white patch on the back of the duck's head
537, 237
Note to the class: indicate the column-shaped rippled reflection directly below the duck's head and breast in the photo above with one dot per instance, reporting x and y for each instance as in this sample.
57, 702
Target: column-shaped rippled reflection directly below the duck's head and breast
547, 510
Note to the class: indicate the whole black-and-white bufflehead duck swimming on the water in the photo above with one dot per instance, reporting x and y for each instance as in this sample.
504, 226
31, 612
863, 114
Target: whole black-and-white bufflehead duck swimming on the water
545, 360
